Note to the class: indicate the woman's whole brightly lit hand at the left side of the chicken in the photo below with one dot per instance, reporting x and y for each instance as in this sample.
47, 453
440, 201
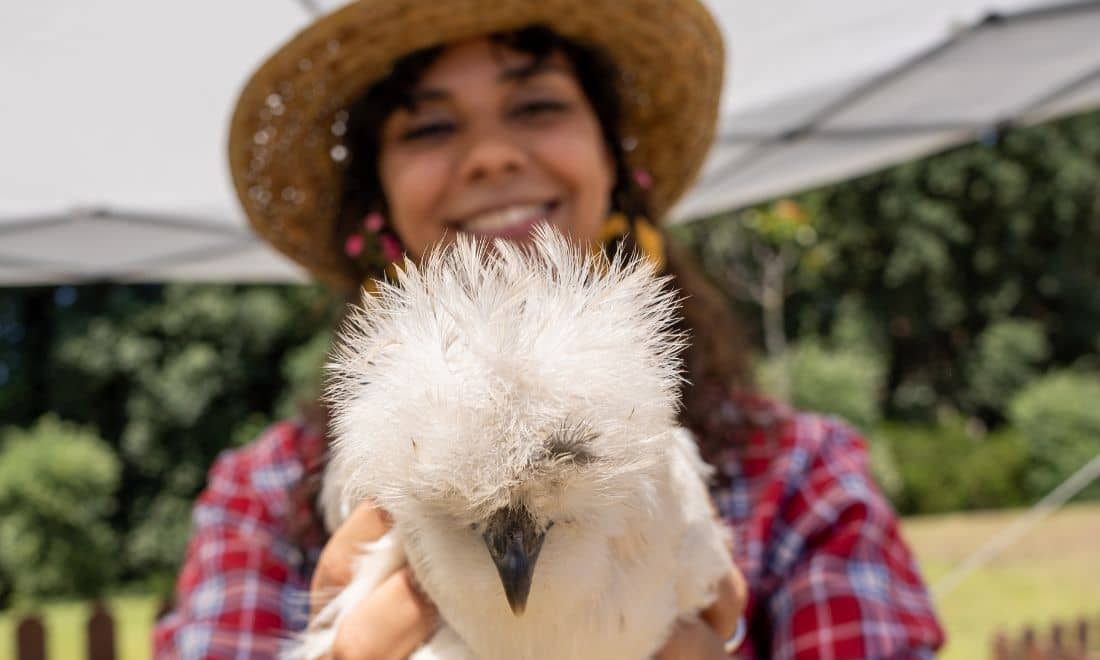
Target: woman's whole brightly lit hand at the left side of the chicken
390, 624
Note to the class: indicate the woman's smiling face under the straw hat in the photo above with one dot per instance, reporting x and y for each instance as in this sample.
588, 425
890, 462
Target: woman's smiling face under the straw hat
493, 146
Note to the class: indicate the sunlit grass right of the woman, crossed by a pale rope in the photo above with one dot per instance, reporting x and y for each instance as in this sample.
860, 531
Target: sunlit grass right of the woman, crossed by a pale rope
1051, 575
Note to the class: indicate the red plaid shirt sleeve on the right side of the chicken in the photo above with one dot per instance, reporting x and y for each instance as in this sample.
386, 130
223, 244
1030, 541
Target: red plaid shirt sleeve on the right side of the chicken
851, 587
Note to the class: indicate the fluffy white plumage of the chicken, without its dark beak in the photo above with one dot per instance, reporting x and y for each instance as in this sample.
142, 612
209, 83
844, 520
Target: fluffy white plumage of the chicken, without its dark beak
536, 380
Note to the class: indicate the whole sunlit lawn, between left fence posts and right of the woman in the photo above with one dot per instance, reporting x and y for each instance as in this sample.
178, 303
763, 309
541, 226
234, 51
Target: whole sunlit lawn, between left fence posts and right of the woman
1052, 574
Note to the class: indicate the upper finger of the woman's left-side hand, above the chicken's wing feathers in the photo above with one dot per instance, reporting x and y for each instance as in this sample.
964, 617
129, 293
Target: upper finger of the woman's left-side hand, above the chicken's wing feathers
335, 566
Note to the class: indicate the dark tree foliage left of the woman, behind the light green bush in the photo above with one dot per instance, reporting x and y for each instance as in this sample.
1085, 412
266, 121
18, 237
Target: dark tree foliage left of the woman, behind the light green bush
170, 377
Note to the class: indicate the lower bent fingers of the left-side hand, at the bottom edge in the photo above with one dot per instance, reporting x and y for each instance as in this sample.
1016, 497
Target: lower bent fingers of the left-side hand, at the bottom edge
393, 622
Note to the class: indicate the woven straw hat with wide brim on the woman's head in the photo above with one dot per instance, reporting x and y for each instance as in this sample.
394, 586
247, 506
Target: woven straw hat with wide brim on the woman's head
285, 139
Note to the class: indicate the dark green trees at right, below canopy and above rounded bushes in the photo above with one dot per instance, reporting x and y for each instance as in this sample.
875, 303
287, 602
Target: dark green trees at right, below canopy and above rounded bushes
942, 249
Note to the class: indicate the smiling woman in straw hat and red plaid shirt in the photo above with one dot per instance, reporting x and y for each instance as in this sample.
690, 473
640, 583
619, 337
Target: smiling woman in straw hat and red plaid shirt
393, 125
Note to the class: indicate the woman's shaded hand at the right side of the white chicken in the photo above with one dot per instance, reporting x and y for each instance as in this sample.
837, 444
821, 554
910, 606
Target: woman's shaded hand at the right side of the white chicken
705, 640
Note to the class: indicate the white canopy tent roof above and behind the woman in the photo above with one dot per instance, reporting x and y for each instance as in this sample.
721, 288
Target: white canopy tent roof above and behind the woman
114, 115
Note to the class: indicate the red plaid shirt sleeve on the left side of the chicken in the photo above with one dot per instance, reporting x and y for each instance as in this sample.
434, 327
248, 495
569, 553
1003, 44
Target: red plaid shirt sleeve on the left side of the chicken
241, 591
